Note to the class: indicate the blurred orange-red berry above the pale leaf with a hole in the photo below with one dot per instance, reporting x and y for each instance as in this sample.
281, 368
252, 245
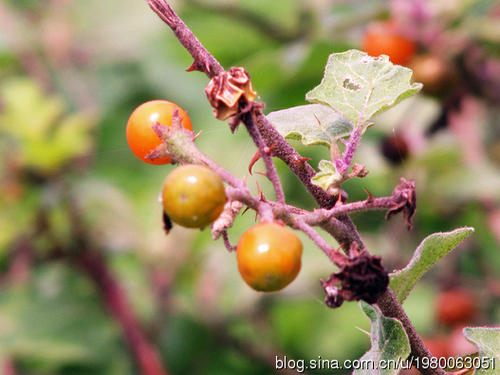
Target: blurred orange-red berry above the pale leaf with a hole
383, 39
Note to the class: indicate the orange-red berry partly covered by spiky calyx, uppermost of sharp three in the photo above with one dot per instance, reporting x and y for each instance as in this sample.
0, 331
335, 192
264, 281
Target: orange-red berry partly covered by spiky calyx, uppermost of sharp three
141, 137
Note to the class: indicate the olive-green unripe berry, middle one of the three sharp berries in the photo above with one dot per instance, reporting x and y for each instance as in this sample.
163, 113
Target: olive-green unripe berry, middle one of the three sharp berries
193, 196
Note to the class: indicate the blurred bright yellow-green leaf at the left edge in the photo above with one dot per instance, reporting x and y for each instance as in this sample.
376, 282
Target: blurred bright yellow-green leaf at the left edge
45, 138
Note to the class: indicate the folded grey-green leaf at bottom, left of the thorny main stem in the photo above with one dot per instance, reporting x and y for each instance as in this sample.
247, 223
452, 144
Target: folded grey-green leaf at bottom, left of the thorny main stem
388, 342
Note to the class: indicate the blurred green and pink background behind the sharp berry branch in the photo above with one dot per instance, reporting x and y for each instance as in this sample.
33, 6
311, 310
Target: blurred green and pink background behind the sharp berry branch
71, 72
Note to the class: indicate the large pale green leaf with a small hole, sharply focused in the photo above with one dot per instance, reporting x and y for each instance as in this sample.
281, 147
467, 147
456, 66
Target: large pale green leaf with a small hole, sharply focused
359, 86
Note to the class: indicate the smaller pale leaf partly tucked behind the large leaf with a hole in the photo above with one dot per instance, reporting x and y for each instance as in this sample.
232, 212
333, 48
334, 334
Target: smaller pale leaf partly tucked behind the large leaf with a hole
312, 124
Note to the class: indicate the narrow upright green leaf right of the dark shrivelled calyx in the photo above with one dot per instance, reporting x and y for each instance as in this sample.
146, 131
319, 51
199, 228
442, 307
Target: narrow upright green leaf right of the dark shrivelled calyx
430, 250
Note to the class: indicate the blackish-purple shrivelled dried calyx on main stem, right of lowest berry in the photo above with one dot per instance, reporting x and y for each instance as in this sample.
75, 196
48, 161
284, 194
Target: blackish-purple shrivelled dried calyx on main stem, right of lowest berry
362, 278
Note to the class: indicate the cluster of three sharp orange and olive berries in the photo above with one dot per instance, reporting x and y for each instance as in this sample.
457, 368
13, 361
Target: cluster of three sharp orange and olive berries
194, 196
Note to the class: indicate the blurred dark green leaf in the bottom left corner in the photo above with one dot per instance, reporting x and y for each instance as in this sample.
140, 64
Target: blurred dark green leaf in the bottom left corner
54, 319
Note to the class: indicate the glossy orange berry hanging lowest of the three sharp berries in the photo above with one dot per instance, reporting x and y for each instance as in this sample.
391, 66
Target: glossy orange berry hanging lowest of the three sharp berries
269, 256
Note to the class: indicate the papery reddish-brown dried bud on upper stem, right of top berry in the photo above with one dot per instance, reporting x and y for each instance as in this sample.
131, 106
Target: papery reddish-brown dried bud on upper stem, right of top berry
225, 90
